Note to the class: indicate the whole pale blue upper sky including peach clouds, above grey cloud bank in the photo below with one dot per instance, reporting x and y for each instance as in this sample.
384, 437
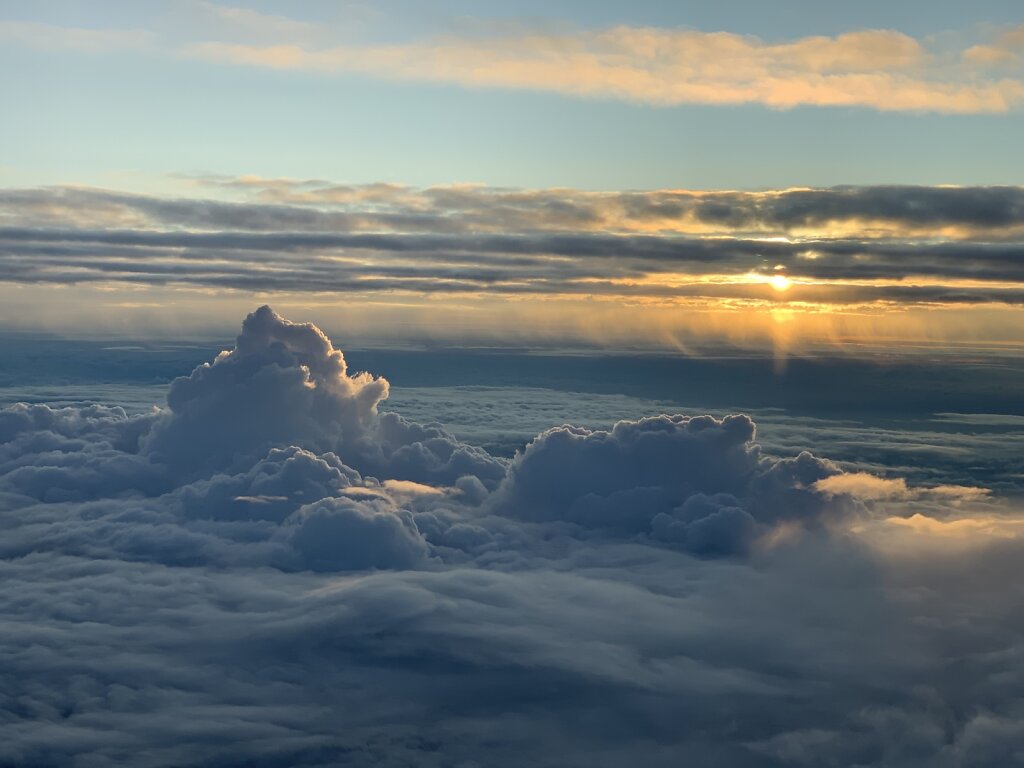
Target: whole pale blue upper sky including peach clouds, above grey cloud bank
349, 99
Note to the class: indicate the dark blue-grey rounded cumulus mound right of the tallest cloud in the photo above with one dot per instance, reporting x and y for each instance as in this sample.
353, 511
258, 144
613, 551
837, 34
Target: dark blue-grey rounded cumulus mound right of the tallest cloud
698, 483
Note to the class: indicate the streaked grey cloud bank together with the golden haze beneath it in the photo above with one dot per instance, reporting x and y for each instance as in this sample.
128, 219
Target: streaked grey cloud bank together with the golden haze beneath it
465, 262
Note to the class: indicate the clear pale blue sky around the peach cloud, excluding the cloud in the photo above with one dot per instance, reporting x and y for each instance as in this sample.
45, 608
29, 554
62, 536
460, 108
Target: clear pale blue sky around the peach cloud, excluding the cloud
137, 116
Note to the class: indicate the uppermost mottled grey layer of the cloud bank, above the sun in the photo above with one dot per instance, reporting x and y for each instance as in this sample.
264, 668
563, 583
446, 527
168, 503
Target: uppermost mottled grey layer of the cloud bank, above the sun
320, 206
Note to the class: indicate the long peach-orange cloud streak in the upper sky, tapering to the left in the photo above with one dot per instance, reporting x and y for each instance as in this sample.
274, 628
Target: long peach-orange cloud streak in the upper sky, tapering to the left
877, 69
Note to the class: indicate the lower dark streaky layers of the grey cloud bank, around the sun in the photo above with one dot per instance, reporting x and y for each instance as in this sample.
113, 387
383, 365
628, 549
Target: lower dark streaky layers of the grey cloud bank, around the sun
565, 265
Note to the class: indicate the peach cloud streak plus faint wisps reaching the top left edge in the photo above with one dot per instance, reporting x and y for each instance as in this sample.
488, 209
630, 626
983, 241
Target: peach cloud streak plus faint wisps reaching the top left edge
879, 69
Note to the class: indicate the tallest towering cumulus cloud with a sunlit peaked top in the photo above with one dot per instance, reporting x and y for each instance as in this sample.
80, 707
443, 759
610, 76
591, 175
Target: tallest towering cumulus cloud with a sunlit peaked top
285, 385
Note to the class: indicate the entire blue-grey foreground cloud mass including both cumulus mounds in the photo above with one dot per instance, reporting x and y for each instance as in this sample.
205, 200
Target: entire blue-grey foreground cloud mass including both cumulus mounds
274, 571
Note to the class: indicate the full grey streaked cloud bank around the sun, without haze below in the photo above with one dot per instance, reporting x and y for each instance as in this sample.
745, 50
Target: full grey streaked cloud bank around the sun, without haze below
517, 242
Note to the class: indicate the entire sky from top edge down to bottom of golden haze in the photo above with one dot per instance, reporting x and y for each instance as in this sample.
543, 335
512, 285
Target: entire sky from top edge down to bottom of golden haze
664, 176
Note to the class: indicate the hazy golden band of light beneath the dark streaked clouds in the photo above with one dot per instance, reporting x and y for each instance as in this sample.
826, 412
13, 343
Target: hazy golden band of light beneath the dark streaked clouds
681, 324
